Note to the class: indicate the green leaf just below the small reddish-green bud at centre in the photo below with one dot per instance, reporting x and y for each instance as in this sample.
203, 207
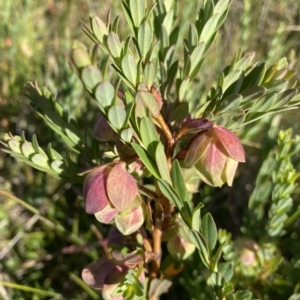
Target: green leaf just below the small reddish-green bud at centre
149, 135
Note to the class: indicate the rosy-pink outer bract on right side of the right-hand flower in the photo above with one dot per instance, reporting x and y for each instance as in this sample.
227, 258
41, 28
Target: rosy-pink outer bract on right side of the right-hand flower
231, 143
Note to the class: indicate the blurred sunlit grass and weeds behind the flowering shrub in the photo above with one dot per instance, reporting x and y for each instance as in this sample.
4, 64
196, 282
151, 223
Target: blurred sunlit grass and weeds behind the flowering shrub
46, 238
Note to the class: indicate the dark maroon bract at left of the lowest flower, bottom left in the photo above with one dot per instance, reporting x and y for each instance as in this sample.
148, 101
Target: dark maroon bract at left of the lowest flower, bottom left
95, 273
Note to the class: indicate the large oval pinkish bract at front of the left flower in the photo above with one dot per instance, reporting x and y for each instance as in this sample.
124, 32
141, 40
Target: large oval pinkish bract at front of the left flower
121, 187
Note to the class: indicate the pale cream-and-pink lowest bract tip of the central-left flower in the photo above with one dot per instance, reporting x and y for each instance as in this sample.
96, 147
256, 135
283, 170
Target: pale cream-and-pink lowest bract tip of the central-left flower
130, 221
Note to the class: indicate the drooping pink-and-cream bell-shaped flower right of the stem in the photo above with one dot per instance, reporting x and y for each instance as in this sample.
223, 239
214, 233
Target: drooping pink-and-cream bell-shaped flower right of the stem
215, 154
